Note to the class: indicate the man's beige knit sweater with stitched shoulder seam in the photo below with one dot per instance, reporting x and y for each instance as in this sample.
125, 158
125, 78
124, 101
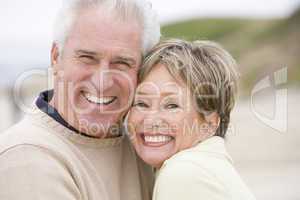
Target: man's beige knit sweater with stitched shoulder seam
42, 160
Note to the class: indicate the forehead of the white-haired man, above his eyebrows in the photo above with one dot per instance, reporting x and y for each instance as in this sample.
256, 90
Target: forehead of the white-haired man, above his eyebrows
96, 29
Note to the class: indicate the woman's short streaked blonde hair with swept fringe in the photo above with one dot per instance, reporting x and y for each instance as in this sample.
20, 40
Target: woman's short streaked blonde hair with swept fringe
208, 70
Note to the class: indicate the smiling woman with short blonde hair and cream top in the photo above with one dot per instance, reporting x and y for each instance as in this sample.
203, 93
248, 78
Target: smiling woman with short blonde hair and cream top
179, 120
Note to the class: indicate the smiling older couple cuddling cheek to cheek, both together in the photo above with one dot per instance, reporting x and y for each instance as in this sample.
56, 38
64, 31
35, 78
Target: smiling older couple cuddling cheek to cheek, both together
125, 106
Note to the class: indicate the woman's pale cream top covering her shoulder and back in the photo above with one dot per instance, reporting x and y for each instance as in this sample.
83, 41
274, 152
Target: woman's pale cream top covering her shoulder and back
204, 172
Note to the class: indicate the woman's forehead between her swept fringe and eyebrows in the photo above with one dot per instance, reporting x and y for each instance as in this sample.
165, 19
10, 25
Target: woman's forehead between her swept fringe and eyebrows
160, 81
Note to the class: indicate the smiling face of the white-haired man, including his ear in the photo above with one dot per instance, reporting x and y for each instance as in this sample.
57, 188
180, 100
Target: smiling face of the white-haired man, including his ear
97, 71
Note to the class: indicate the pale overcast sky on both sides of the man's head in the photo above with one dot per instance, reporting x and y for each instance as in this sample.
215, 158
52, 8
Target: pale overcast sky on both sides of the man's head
26, 25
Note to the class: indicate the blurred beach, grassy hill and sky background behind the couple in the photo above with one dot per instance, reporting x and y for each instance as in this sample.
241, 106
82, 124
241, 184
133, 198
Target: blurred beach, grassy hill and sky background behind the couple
263, 36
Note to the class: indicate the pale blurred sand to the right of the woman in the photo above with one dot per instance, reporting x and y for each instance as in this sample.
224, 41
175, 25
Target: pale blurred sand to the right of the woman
268, 160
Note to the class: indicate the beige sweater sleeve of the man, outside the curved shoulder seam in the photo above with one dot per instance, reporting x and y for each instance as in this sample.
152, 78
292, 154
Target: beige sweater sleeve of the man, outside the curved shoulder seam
28, 170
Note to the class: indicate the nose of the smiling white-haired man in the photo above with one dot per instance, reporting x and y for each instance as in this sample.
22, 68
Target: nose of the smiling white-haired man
103, 77
